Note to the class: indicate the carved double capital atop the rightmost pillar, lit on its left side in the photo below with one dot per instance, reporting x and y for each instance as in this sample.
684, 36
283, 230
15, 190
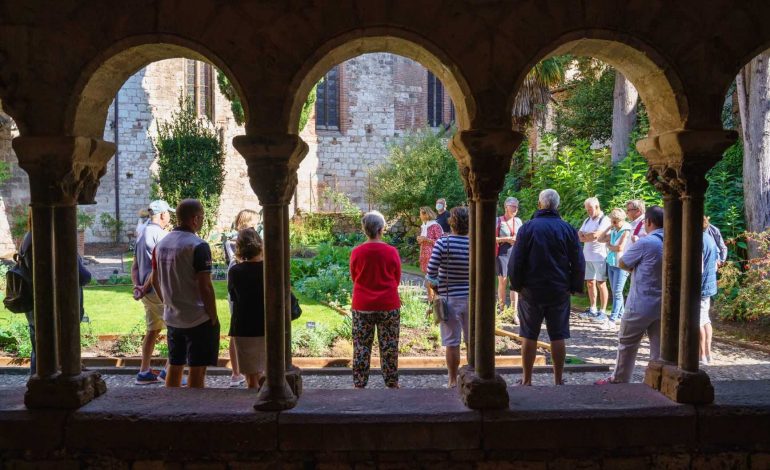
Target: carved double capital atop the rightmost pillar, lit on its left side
679, 160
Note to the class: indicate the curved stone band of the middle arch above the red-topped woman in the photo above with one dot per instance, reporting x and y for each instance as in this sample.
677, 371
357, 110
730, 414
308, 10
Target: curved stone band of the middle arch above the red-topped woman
389, 40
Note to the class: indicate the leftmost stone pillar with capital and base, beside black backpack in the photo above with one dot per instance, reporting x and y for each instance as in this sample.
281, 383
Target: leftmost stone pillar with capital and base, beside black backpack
63, 171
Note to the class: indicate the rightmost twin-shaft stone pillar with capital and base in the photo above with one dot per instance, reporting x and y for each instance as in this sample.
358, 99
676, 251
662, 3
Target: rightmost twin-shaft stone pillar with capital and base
679, 161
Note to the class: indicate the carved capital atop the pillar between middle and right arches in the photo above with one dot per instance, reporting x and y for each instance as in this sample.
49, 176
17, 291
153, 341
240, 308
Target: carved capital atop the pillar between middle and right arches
486, 153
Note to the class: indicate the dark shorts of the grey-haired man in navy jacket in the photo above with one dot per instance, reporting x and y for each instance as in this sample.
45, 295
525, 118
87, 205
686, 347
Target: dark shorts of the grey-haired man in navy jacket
556, 316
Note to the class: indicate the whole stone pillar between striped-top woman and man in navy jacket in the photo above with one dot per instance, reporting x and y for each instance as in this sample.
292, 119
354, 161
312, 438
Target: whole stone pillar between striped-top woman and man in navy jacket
486, 153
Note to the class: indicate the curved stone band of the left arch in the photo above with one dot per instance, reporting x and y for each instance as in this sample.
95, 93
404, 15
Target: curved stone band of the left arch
103, 77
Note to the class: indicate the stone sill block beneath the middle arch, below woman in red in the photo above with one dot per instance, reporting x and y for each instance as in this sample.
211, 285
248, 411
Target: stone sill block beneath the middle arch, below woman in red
386, 420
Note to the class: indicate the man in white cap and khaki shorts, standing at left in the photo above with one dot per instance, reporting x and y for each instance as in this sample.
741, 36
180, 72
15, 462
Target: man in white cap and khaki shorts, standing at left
154, 231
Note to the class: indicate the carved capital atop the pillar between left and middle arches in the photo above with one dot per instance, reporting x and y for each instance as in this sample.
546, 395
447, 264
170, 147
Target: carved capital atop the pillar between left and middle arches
272, 161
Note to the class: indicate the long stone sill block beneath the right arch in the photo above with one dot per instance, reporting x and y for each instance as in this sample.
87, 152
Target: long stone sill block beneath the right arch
554, 418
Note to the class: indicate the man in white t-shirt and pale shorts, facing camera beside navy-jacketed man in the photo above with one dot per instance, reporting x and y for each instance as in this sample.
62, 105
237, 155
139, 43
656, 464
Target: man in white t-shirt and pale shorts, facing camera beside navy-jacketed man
595, 254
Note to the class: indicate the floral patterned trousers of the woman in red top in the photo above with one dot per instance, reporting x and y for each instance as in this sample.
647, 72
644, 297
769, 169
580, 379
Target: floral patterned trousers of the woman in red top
388, 325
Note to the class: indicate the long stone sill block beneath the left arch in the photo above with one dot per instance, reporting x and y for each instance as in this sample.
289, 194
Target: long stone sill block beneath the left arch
141, 423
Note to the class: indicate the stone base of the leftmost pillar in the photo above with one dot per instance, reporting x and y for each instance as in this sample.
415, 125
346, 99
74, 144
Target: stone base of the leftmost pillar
63, 392
